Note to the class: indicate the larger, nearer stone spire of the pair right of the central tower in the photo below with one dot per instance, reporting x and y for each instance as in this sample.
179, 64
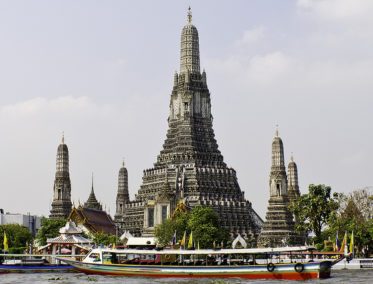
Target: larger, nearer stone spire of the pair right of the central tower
278, 229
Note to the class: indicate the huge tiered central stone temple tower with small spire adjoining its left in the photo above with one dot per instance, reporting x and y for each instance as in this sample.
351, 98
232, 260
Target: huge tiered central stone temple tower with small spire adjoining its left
190, 169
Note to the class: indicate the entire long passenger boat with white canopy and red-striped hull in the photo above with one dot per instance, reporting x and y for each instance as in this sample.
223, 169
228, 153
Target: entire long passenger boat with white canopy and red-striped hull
293, 263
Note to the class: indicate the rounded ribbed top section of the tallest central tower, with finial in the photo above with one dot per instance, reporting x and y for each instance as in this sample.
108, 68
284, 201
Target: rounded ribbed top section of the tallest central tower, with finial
189, 49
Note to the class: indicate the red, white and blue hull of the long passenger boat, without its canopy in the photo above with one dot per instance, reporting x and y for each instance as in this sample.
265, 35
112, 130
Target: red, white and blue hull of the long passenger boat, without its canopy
280, 271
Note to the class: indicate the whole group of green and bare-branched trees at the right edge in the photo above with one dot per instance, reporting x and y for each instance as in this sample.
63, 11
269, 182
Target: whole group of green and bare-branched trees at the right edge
325, 215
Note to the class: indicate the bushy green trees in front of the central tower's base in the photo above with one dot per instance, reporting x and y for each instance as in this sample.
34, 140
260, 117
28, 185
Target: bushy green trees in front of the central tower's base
201, 220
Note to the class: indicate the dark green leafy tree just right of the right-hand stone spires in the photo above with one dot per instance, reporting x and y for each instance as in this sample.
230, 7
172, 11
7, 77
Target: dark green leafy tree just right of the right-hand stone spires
313, 210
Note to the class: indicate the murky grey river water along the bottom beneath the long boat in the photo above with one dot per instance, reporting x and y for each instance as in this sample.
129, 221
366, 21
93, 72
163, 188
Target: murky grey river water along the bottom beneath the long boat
338, 276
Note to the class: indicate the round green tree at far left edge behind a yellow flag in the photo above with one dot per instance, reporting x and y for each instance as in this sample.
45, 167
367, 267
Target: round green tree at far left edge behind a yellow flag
18, 237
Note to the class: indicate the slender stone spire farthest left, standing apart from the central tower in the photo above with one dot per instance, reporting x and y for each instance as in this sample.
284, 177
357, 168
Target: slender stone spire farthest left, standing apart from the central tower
61, 205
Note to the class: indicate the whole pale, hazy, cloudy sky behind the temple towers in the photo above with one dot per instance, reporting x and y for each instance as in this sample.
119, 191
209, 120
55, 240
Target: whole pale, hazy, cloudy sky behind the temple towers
102, 73
